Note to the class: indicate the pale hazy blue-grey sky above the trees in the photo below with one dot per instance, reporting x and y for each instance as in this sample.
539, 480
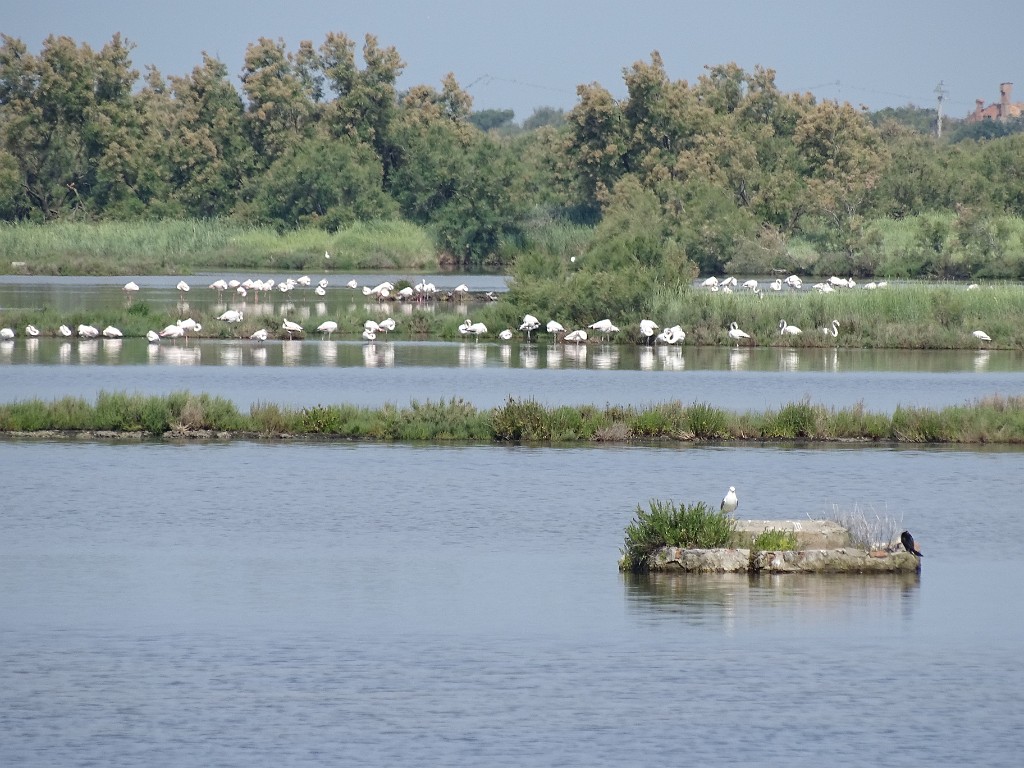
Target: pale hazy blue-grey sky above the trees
531, 54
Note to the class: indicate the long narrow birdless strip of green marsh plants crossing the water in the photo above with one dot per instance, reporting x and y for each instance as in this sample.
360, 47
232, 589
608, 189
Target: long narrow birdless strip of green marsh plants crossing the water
992, 420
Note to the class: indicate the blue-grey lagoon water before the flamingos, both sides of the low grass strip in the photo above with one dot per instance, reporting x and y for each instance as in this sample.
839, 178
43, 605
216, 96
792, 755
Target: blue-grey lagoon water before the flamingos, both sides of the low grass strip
303, 604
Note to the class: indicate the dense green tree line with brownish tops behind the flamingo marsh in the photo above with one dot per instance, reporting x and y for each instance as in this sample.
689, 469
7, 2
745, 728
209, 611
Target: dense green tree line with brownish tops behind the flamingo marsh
726, 173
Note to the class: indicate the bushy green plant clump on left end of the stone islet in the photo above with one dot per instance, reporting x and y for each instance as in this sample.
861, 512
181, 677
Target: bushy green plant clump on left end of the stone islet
665, 525
